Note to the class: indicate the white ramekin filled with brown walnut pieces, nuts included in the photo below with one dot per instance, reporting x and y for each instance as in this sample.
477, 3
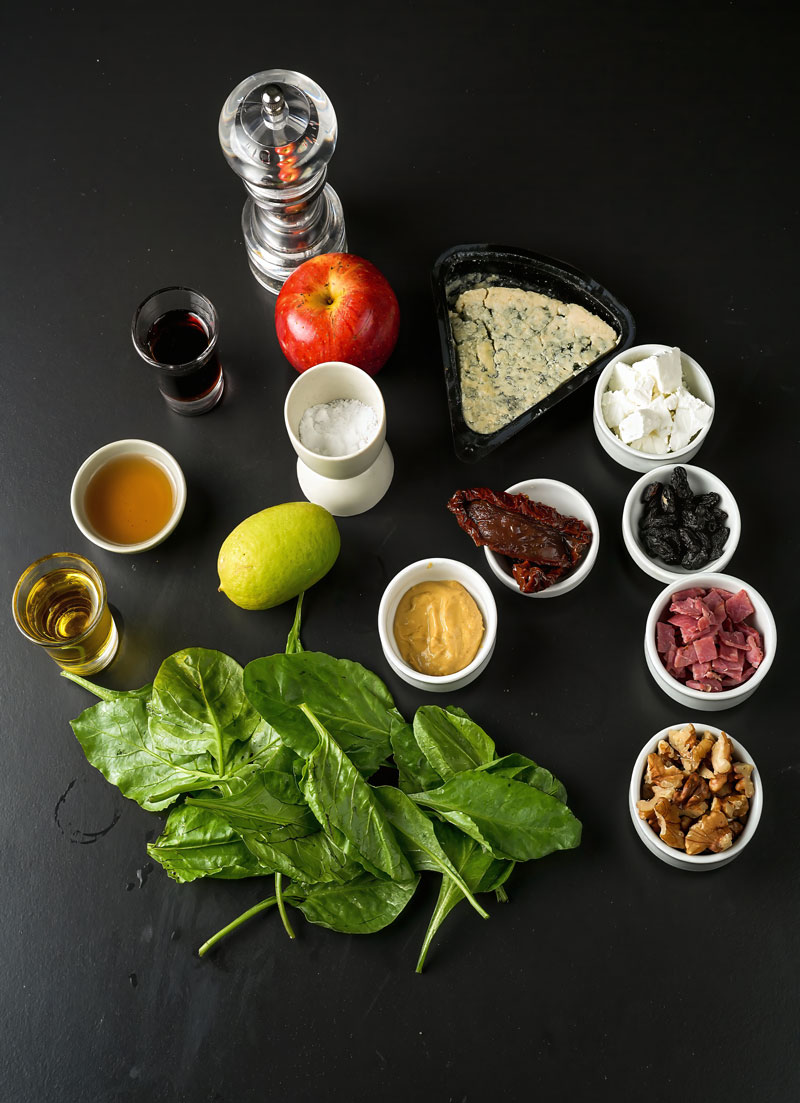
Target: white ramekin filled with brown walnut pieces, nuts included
696, 797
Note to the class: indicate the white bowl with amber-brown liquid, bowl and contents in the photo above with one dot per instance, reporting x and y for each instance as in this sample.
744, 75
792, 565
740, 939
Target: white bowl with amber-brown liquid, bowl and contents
129, 496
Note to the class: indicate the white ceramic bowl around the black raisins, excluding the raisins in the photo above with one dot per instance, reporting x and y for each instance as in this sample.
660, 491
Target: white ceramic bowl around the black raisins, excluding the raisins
702, 483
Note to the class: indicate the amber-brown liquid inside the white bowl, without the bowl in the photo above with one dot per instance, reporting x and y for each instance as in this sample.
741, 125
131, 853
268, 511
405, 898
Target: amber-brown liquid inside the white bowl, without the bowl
130, 500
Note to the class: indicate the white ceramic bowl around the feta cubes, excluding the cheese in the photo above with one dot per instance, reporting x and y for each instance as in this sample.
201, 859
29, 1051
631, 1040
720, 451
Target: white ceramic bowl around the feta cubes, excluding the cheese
695, 379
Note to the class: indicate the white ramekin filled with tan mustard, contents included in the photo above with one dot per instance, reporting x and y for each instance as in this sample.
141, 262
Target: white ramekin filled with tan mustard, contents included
439, 625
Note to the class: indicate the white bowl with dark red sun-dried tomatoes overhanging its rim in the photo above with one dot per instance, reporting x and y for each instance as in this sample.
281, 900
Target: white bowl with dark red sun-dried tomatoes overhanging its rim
540, 537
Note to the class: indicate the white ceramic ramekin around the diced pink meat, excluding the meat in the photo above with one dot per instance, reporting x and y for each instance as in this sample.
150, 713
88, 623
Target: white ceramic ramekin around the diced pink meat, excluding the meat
697, 699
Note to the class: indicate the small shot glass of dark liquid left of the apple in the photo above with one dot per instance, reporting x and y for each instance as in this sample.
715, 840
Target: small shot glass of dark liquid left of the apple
175, 330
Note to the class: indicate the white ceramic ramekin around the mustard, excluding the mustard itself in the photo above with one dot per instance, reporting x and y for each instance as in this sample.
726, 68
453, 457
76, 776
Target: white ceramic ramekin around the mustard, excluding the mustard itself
426, 571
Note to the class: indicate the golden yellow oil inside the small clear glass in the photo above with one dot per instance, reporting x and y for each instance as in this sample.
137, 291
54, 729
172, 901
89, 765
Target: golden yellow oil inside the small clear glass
60, 608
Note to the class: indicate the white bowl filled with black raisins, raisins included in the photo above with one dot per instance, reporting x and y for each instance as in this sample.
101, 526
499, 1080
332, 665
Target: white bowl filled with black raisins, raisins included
679, 520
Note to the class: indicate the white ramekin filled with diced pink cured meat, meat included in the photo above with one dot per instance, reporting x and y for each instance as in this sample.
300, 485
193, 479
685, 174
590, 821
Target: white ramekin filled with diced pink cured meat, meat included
710, 641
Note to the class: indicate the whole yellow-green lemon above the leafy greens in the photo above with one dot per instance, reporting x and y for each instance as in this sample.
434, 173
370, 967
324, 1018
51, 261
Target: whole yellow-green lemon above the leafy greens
276, 554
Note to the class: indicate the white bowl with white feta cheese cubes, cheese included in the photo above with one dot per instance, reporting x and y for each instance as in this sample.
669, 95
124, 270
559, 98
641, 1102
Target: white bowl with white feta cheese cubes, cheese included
654, 404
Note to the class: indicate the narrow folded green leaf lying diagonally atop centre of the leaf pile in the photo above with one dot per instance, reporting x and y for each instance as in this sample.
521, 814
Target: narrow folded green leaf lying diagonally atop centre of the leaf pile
347, 808
